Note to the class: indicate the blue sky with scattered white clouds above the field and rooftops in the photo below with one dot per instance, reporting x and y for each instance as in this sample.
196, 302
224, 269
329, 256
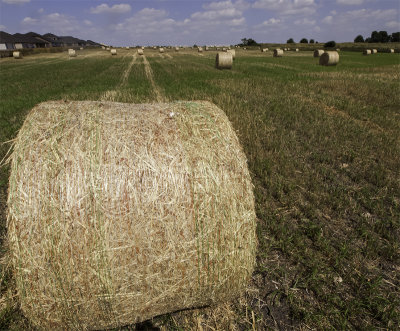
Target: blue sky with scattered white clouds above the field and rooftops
188, 22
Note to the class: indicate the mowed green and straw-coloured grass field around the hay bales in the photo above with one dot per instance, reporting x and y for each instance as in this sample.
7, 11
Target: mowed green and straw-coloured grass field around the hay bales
323, 149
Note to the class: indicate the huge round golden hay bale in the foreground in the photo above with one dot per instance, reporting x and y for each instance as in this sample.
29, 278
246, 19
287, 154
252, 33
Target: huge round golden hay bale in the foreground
121, 212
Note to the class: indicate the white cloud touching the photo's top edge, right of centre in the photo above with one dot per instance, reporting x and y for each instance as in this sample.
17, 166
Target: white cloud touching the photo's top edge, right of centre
288, 7
